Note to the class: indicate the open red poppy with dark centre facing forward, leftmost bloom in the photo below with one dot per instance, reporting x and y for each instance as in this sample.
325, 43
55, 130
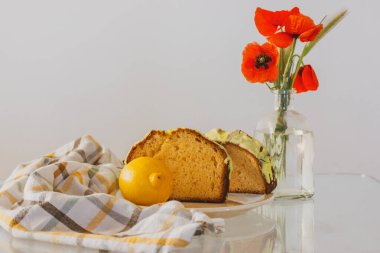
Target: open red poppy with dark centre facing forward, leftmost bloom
260, 63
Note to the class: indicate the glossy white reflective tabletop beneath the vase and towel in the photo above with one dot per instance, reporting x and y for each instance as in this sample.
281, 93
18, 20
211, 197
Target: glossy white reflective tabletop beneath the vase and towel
343, 216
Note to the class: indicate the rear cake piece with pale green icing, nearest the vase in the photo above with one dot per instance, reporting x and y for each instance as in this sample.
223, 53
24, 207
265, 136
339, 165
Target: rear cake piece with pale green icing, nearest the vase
252, 168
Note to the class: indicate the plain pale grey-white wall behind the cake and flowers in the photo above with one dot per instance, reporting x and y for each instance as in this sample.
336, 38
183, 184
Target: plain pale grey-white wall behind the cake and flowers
116, 69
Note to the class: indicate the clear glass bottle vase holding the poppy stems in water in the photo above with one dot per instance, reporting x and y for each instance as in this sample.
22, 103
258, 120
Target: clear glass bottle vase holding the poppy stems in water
290, 142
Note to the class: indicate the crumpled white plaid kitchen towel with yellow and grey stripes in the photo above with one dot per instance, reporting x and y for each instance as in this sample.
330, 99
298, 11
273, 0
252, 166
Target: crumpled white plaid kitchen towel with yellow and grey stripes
71, 196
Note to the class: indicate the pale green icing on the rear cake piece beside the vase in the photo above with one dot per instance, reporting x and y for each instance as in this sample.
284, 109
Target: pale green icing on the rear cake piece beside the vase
249, 143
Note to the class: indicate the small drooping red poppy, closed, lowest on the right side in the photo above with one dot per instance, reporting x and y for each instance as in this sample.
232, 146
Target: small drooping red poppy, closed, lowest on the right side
306, 79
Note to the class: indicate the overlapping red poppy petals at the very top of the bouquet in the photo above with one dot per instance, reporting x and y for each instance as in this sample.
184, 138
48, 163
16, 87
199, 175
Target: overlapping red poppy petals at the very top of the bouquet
282, 27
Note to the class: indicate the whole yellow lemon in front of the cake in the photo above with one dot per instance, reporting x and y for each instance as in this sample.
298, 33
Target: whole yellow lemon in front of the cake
146, 181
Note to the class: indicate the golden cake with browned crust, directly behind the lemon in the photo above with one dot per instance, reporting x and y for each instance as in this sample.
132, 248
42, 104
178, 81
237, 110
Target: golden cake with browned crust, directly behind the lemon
200, 167
